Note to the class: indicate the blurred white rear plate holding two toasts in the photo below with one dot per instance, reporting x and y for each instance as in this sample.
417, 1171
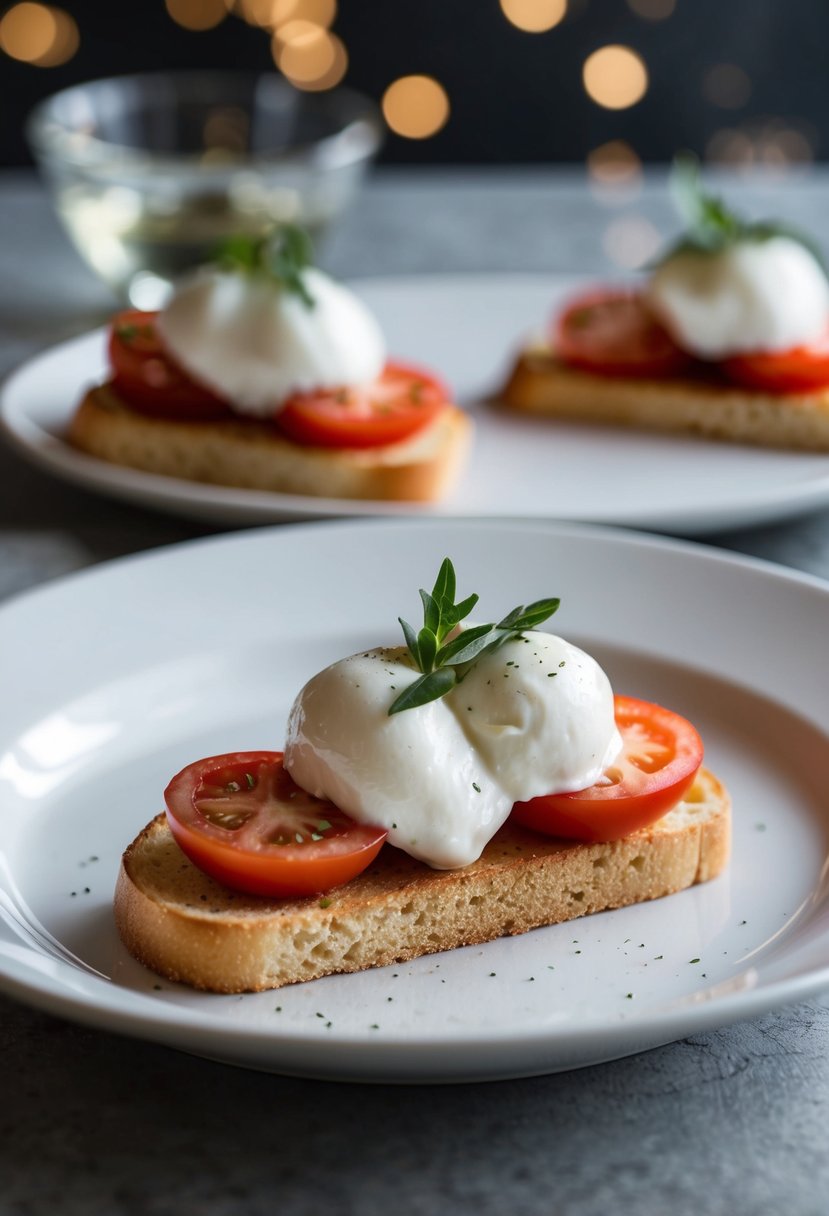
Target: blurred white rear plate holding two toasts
469, 328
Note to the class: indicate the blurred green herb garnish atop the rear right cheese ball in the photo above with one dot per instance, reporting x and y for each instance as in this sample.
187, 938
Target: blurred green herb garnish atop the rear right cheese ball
712, 226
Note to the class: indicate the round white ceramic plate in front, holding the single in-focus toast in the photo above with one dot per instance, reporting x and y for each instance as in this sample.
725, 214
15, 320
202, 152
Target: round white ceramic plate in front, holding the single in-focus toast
117, 678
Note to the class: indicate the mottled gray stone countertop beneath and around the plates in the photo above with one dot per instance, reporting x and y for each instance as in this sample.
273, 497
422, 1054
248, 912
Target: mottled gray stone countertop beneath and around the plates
734, 1122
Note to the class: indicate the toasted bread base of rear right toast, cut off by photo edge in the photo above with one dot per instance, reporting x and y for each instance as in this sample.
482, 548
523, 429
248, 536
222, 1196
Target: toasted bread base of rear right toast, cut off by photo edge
703, 404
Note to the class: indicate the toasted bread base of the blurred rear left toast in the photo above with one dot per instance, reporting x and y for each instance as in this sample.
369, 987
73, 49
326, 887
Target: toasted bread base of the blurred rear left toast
255, 457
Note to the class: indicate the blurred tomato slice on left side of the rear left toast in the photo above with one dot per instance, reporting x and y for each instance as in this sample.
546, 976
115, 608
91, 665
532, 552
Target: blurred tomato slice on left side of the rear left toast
149, 380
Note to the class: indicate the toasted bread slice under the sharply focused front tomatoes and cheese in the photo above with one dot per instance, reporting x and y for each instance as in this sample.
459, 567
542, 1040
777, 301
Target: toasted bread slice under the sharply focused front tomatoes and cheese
187, 927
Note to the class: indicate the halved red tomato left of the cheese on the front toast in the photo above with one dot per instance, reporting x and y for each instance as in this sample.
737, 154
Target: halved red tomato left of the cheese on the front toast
243, 820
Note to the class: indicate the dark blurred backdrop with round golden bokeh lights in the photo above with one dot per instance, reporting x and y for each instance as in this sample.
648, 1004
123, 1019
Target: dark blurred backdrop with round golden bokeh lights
741, 82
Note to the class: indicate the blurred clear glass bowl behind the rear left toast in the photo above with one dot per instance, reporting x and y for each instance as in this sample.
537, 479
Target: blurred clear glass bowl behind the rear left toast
149, 173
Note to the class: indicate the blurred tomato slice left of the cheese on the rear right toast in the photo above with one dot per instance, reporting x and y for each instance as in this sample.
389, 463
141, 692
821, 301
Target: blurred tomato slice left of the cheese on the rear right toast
612, 333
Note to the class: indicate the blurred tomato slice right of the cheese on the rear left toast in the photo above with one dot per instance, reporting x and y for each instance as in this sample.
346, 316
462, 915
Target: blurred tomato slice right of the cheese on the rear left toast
397, 406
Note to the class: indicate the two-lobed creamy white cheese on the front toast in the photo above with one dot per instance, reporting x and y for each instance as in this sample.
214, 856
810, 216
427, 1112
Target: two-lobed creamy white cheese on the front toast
534, 718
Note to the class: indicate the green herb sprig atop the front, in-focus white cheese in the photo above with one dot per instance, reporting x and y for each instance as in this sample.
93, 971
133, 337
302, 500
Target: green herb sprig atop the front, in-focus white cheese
443, 655
